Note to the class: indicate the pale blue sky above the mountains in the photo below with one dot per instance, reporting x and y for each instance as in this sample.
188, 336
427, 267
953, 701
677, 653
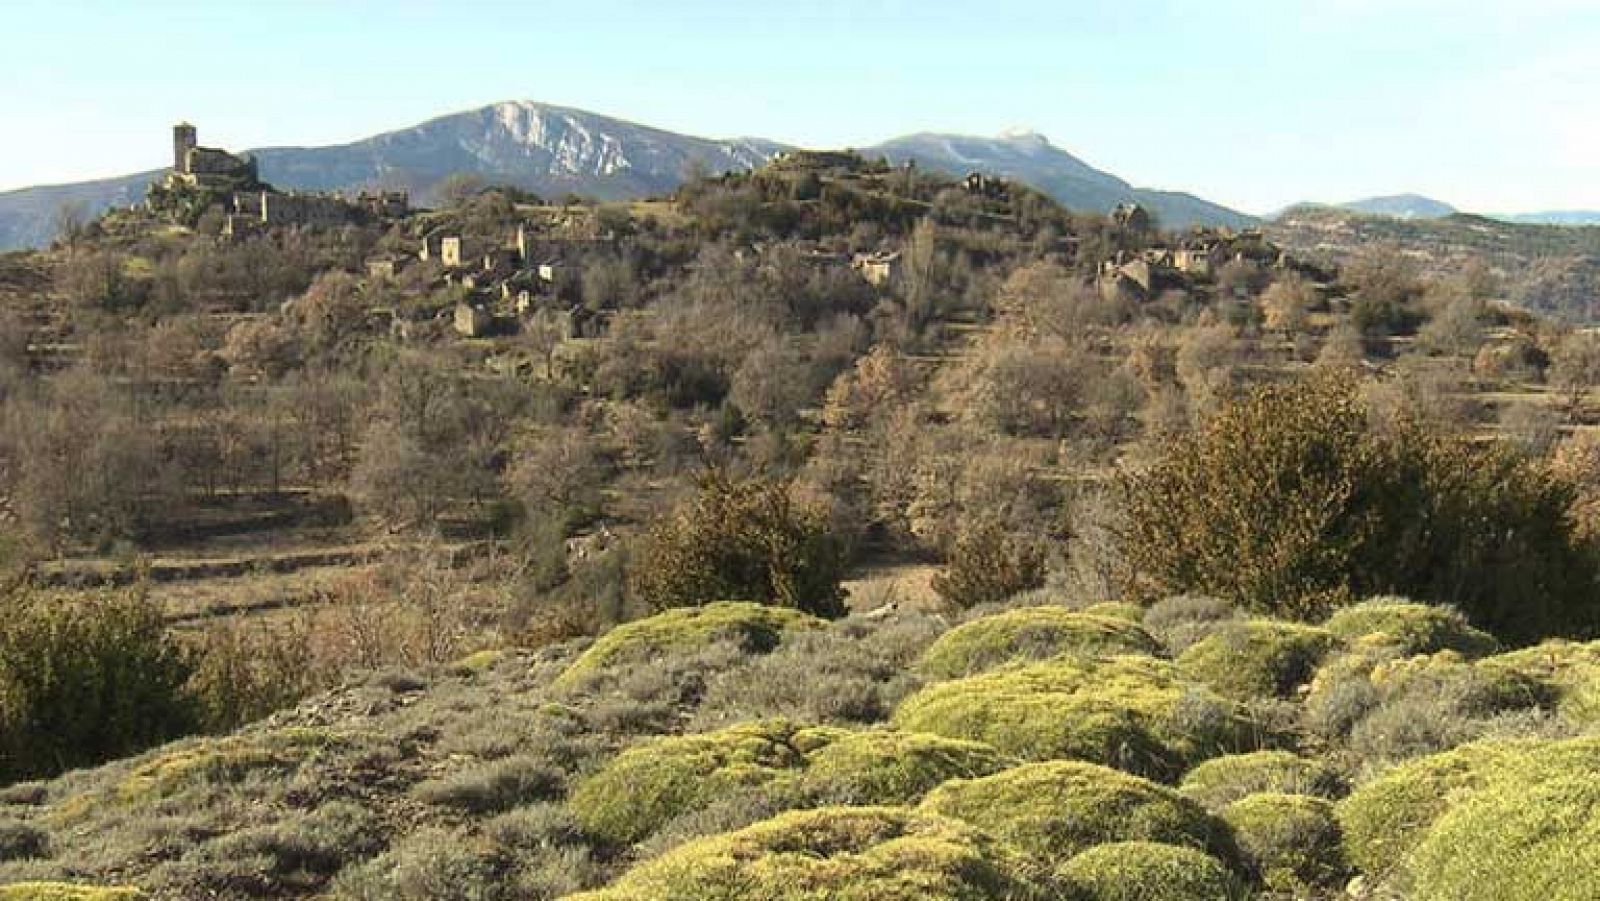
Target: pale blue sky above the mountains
1494, 106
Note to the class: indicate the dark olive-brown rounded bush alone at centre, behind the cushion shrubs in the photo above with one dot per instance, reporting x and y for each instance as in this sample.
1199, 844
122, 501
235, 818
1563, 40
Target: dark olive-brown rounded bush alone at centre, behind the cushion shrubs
743, 540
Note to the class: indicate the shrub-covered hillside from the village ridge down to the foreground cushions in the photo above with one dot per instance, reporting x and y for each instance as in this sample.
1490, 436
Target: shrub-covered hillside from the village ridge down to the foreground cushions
831, 531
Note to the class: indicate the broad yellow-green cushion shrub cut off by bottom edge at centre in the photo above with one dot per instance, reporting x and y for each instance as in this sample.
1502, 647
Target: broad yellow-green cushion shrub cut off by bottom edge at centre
838, 854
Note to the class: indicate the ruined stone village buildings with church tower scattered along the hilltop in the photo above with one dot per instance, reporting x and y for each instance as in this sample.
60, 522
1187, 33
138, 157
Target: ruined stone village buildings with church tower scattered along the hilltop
530, 274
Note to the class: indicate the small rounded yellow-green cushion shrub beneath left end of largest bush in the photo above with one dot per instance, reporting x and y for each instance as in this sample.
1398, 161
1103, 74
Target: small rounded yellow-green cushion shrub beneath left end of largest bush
1257, 659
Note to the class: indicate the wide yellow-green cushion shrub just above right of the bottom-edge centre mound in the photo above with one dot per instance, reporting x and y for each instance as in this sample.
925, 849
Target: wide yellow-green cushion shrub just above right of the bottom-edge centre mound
1060, 809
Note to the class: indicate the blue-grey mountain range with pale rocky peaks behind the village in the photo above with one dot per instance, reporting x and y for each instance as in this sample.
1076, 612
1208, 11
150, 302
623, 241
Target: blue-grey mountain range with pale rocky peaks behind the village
558, 151
